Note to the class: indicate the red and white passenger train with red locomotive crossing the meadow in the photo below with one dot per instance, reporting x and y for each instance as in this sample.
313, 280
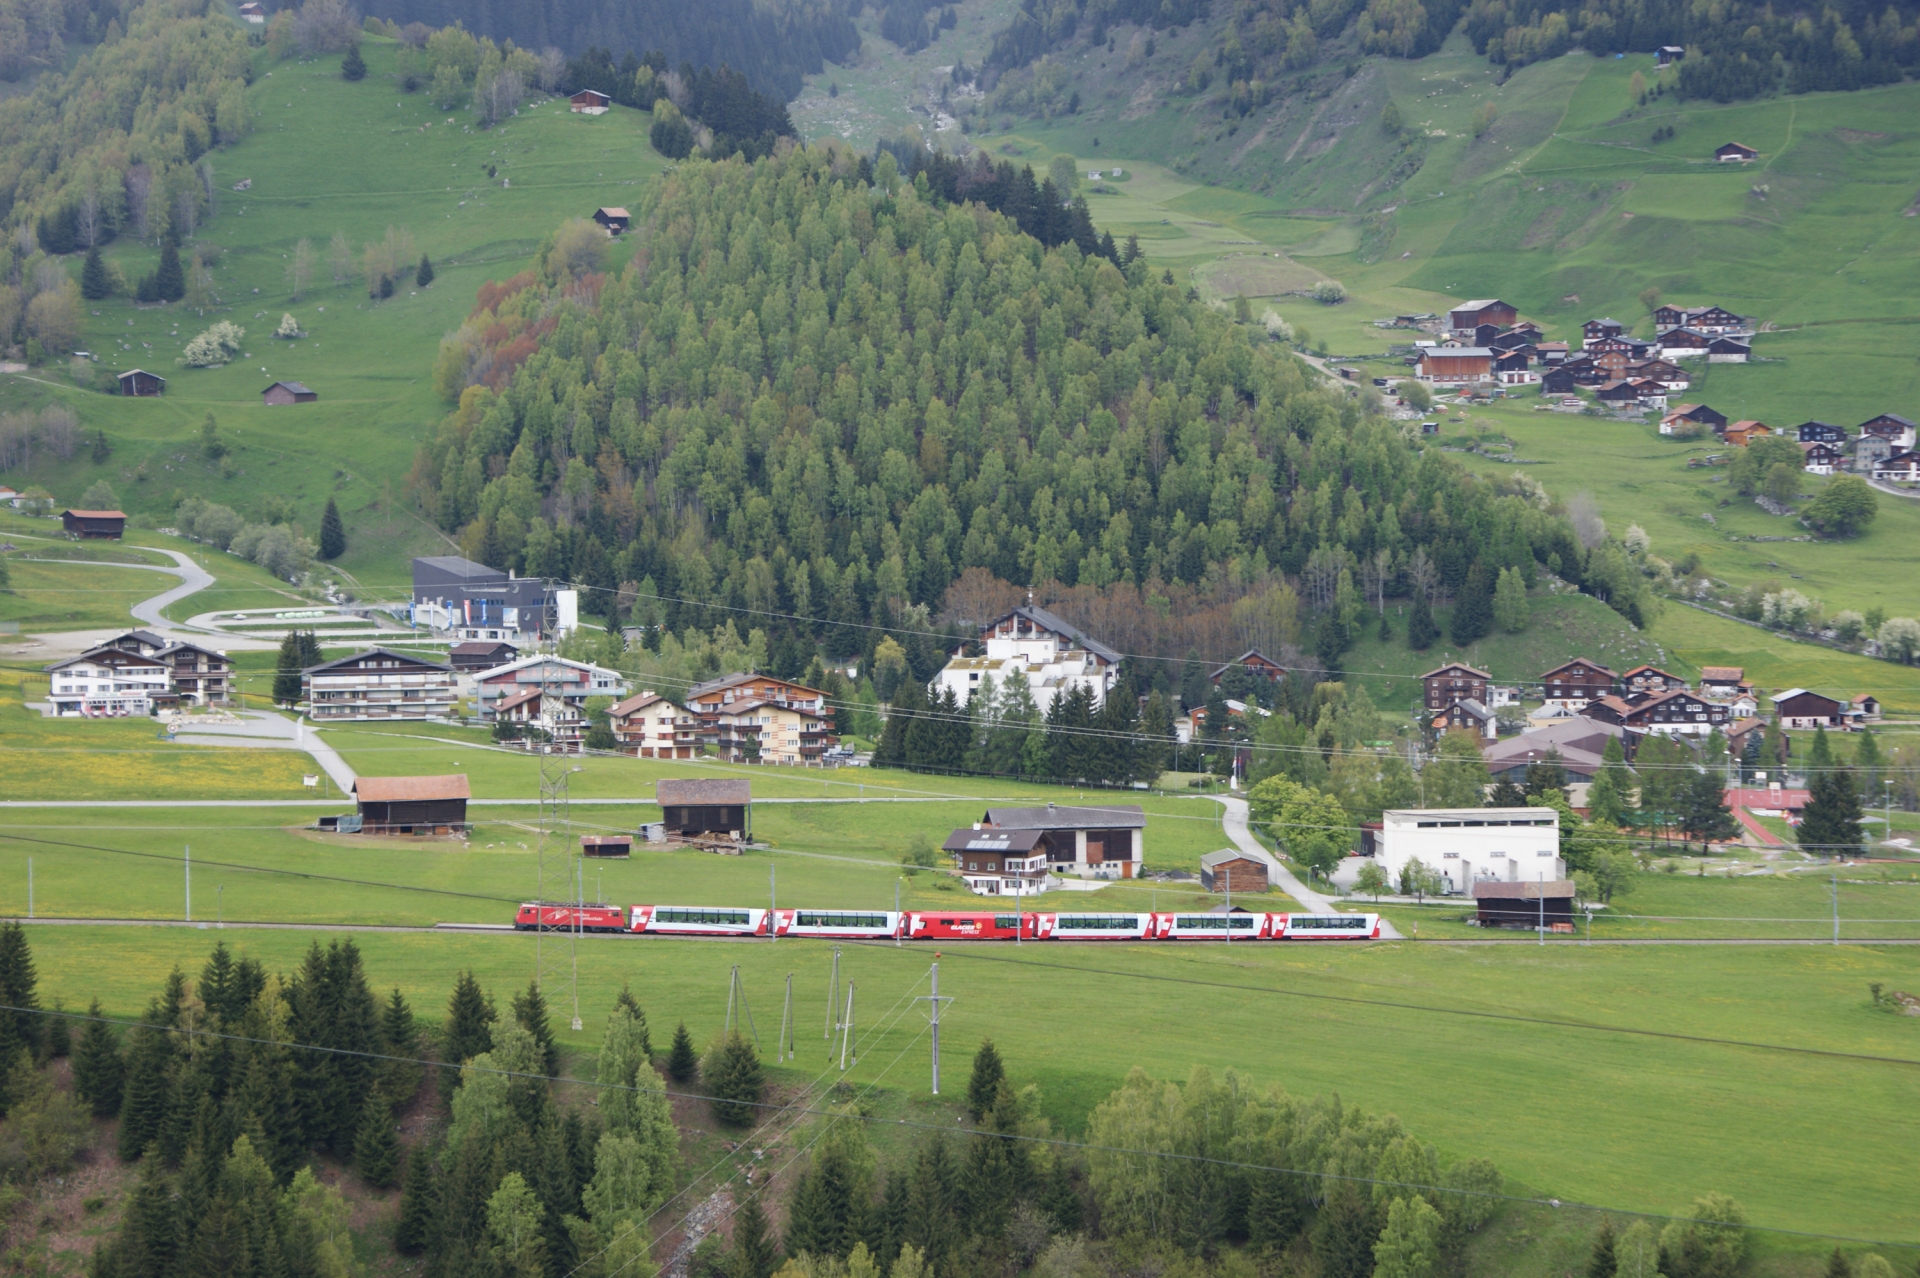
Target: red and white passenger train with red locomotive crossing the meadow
946, 924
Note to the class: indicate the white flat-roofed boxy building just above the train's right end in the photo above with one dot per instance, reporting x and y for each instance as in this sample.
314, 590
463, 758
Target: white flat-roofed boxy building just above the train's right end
1472, 845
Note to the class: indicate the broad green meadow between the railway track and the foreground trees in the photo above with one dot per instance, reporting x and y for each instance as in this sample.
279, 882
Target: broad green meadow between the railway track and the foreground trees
1585, 1116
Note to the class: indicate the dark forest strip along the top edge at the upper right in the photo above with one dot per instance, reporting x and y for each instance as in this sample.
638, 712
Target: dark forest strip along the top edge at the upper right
1740, 49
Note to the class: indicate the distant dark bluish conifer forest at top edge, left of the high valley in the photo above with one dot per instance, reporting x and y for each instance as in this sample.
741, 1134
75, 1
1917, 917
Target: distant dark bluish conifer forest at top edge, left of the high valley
771, 45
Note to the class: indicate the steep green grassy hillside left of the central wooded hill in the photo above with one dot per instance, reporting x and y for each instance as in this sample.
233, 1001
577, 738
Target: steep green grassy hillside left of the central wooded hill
327, 156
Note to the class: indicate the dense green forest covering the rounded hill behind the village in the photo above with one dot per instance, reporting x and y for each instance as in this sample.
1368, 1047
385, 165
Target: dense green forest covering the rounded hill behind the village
828, 398
